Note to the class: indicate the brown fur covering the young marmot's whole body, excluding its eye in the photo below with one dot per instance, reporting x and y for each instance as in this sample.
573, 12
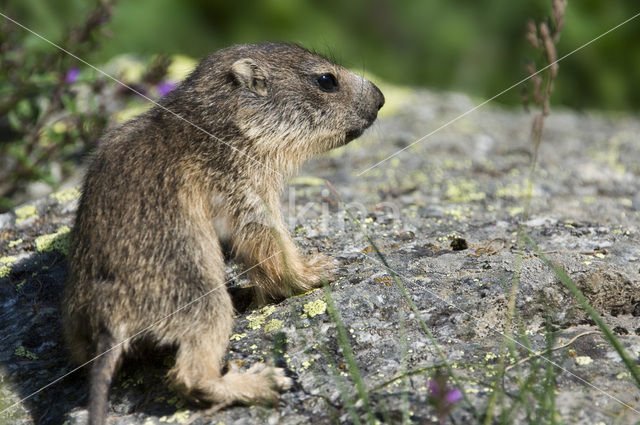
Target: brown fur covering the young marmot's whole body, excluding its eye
160, 195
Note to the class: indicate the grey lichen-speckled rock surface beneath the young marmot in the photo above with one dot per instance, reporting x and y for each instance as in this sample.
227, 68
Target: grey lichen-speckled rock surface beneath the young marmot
467, 181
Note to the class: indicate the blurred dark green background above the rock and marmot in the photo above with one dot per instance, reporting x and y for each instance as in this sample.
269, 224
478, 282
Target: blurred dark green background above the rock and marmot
471, 46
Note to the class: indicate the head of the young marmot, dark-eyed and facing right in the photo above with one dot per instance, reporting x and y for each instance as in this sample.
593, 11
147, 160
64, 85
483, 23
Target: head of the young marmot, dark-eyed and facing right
282, 97
